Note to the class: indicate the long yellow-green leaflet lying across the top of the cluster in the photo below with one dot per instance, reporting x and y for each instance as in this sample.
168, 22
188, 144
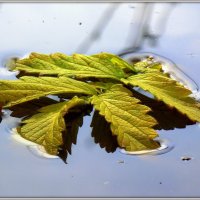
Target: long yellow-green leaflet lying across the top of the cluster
77, 65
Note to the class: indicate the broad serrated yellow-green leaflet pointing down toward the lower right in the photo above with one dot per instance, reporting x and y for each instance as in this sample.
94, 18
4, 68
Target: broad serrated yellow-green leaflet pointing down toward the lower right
128, 118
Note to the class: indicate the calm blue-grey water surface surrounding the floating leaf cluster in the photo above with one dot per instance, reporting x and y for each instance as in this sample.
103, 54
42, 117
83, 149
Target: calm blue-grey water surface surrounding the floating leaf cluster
91, 172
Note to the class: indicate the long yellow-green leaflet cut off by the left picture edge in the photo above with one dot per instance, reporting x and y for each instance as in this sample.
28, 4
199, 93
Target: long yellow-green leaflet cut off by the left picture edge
29, 88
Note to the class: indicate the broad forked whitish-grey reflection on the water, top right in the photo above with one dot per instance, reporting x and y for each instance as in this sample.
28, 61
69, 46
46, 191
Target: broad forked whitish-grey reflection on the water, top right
152, 22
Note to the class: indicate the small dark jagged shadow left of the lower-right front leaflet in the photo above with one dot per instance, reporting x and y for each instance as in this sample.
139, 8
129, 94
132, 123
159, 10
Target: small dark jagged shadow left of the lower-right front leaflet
102, 133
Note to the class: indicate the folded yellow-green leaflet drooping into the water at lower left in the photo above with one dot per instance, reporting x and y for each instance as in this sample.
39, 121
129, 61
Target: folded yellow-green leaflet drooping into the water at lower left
46, 127
